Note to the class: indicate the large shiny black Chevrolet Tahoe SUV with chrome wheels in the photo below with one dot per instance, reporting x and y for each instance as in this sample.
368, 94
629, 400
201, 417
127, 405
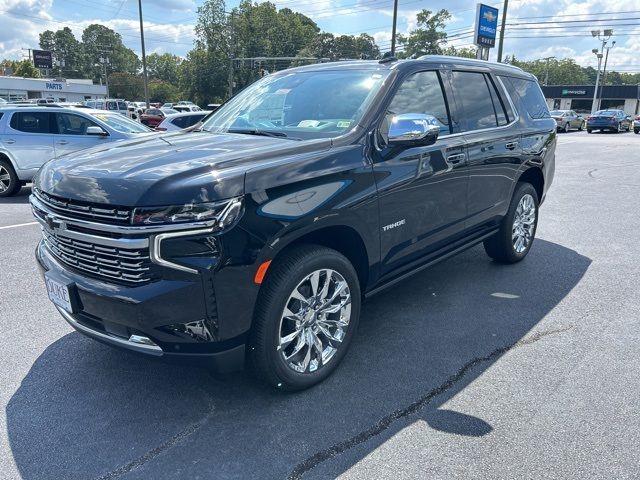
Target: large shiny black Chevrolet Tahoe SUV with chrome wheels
257, 236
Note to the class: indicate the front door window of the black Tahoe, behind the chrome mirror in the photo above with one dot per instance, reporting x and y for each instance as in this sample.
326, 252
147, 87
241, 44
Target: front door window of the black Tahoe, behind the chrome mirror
422, 93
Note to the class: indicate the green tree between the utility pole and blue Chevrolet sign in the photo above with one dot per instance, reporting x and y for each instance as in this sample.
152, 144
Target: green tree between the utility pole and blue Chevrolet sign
429, 38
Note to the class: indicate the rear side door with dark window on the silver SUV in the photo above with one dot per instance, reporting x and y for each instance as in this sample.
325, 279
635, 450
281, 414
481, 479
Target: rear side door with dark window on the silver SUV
29, 139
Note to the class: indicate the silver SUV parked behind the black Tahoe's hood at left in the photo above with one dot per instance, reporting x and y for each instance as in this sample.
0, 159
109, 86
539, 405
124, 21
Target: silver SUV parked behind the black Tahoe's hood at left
31, 136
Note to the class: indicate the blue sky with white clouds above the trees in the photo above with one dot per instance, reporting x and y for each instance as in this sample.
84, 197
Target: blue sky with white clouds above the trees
169, 23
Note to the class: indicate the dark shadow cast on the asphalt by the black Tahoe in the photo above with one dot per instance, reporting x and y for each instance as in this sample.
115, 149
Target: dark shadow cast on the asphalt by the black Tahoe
87, 411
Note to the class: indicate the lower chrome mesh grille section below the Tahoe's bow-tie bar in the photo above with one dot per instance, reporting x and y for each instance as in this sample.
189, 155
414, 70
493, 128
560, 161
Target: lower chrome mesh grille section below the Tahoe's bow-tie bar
110, 263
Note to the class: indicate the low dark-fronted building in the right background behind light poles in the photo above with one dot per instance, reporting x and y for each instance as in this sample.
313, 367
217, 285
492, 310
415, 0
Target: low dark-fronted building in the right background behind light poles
580, 97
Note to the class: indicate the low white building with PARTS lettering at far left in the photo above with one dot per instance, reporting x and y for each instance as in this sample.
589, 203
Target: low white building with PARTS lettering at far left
60, 90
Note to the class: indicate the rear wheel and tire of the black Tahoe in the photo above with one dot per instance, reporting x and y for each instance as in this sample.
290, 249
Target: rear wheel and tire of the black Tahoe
518, 228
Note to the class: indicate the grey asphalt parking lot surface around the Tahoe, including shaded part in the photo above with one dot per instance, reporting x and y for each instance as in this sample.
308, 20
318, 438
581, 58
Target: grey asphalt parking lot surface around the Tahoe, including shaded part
467, 370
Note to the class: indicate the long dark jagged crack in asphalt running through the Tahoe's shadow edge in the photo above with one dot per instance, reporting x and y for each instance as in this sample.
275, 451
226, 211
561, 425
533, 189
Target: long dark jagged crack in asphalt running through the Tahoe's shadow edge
385, 422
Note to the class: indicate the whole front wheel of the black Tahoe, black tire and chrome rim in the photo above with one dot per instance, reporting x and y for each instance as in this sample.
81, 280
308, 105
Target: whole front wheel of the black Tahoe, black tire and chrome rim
306, 316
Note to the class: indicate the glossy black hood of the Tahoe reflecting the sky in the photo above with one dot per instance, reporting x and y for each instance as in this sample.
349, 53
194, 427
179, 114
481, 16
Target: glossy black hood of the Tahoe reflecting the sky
165, 169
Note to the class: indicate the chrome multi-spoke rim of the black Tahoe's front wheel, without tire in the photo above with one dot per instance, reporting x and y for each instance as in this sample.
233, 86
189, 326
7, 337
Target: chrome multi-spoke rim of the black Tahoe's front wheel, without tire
314, 321
